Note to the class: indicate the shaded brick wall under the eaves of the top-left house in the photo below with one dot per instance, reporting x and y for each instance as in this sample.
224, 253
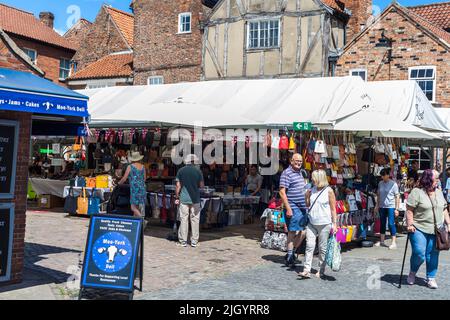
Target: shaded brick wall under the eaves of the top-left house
48, 57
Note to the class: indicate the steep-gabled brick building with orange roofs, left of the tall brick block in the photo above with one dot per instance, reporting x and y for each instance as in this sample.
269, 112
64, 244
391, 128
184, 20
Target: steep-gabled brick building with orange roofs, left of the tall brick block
104, 57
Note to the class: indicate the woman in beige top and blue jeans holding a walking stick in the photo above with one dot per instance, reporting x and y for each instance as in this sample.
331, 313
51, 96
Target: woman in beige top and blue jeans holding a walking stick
426, 207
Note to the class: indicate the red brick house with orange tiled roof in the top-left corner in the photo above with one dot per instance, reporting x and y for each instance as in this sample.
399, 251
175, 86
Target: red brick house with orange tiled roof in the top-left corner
47, 50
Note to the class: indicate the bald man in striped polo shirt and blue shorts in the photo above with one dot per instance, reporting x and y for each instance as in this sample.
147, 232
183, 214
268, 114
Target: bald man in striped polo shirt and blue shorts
292, 193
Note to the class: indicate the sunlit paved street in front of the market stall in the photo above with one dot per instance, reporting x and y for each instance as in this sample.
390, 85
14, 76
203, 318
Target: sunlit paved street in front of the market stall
228, 264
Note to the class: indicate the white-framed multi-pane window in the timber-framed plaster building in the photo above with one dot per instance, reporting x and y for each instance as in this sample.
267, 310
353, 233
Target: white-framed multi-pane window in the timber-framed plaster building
263, 34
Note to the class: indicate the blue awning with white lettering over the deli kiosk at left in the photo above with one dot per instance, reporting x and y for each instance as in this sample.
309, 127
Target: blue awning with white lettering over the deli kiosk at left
26, 92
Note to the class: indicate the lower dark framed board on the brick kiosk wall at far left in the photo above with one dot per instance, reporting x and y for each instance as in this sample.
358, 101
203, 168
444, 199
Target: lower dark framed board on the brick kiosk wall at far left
6, 240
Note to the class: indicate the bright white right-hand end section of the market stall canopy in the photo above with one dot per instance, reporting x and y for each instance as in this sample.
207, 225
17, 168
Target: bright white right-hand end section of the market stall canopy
405, 100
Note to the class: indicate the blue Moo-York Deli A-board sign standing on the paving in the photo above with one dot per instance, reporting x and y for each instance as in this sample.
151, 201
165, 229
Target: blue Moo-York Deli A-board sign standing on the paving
111, 252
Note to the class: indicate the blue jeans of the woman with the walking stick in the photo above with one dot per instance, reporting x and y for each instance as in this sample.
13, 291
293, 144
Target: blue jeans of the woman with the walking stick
424, 250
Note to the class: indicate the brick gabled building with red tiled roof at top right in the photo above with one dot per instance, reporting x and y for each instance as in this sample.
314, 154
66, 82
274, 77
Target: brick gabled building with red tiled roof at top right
404, 43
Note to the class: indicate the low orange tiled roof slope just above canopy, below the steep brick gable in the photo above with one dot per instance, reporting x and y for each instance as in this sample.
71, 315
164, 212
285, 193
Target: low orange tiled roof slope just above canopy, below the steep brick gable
112, 66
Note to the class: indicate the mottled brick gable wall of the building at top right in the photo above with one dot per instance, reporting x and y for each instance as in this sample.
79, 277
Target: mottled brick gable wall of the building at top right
411, 47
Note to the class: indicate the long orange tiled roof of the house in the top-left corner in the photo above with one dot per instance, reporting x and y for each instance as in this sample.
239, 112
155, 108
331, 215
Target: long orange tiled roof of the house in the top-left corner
25, 24
